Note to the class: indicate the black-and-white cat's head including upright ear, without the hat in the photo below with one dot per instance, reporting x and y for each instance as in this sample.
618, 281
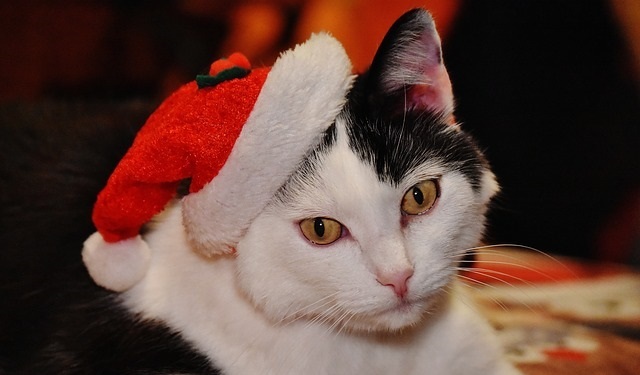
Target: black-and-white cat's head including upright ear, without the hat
367, 234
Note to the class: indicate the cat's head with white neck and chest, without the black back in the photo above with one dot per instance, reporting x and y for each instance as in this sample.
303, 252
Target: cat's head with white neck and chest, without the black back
351, 269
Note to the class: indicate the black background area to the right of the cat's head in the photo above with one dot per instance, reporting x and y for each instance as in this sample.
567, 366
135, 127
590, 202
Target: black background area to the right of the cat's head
548, 88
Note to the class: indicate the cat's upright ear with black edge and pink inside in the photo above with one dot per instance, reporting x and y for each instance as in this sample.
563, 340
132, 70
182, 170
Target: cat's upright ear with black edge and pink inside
407, 72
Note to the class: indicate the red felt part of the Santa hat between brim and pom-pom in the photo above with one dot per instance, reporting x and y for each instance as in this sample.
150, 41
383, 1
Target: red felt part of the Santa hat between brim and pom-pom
189, 136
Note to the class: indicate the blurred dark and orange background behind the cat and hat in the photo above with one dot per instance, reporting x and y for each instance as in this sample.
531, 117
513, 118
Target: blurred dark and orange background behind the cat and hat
550, 88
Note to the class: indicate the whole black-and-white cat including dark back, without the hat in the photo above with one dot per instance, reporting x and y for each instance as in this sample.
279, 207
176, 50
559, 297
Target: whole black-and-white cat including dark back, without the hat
349, 269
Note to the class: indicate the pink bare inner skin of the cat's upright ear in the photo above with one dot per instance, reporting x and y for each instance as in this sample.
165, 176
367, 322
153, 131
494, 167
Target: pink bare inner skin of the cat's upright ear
436, 94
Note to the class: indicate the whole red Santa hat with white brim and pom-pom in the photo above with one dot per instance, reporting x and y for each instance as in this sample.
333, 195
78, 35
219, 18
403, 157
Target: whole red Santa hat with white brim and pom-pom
232, 133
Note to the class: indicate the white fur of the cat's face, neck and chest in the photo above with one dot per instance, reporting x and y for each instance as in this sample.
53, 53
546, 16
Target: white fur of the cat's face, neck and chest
285, 306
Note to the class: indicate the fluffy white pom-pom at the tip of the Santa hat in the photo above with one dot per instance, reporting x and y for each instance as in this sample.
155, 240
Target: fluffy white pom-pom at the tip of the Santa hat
116, 266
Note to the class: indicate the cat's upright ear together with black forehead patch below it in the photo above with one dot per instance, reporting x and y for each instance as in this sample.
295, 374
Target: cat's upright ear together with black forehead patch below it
399, 114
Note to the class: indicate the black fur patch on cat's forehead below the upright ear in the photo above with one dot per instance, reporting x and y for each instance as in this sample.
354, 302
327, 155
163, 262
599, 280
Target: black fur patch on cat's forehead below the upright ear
397, 144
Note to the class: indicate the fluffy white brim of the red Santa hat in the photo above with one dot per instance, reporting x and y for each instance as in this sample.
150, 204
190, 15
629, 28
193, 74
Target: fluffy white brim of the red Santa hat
301, 97
